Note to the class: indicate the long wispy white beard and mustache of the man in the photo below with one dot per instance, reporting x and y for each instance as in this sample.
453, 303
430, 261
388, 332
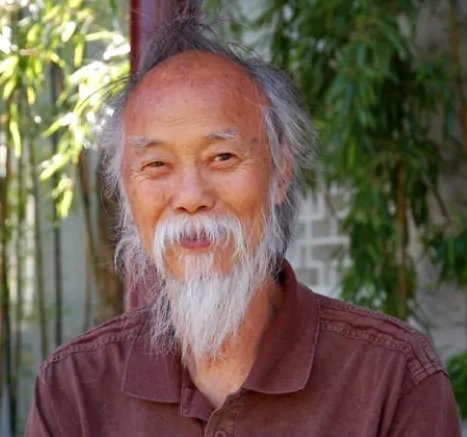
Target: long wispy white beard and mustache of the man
199, 313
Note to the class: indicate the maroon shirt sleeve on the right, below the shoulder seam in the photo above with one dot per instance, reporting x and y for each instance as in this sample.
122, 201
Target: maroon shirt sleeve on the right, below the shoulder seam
429, 409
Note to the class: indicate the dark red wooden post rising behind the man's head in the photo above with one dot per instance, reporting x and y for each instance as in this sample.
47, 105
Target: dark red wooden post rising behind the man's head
145, 16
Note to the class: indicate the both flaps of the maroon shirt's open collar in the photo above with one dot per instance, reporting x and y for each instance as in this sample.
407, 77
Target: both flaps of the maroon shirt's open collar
283, 365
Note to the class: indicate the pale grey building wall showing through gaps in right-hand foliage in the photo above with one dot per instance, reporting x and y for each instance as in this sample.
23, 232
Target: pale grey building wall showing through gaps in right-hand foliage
442, 309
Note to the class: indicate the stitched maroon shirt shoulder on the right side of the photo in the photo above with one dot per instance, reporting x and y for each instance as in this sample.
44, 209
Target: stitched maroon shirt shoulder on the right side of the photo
388, 336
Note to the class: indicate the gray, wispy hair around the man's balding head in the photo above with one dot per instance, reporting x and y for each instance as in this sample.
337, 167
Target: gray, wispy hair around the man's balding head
289, 130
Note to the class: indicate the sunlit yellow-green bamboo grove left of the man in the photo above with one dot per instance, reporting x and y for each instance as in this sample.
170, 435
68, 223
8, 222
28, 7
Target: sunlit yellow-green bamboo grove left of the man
57, 58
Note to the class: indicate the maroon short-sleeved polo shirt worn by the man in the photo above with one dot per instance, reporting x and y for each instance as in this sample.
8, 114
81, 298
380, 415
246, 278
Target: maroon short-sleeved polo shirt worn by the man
324, 369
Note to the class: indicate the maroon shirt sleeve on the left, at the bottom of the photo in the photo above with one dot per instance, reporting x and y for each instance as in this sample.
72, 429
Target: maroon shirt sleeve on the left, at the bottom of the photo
42, 421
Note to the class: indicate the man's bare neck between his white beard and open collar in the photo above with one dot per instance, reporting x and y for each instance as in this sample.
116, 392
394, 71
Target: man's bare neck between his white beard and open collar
219, 378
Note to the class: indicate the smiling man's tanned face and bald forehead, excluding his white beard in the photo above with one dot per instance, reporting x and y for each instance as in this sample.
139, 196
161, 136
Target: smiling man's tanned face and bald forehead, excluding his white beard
194, 143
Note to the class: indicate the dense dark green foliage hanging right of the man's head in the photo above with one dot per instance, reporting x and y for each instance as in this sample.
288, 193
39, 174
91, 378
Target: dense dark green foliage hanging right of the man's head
374, 97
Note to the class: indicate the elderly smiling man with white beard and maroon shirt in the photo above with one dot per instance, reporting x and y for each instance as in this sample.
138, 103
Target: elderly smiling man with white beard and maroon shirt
206, 150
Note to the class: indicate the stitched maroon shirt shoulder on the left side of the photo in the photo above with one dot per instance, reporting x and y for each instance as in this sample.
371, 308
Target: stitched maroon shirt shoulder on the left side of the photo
106, 340
